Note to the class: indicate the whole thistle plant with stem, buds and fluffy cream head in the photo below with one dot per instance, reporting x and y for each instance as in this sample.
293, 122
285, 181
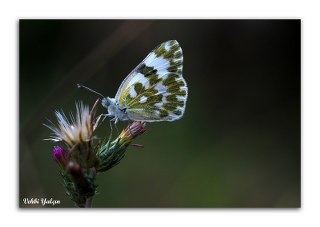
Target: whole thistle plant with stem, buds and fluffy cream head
82, 157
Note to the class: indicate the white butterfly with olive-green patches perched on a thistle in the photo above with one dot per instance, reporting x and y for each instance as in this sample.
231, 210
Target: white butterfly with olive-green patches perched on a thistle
154, 91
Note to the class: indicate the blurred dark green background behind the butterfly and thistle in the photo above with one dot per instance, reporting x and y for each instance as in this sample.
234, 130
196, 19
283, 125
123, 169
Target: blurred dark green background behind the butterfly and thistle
238, 144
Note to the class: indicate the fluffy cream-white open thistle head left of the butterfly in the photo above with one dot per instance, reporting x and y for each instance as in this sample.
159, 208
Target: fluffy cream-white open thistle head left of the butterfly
76, 130
